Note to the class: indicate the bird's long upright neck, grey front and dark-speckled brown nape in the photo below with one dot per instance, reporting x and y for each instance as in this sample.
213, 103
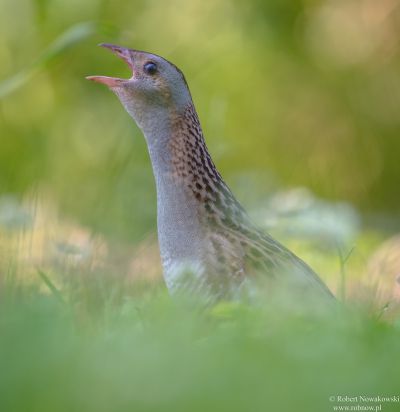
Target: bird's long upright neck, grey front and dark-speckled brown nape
190, 191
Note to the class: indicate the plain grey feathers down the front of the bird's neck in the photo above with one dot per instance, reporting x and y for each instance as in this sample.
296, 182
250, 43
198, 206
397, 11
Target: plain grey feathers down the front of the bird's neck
180, 230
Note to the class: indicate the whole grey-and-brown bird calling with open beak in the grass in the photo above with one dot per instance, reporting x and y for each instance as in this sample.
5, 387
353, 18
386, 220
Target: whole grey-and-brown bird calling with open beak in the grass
208, 243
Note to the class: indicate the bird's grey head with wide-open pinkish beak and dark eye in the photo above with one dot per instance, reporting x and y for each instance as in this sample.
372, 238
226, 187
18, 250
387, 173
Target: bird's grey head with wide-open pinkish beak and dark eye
156, 86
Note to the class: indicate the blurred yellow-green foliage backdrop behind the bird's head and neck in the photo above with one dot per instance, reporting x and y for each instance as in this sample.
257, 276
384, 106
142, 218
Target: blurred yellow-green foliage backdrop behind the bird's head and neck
302, 92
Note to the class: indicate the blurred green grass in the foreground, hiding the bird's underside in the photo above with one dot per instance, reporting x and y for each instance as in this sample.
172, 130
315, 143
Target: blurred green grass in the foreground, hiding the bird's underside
102, 344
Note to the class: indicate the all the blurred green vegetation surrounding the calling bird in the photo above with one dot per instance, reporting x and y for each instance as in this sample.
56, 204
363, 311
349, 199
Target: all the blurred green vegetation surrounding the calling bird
291, 94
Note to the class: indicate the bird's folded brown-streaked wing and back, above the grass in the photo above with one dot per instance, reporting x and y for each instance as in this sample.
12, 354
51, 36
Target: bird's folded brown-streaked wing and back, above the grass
239, 247
